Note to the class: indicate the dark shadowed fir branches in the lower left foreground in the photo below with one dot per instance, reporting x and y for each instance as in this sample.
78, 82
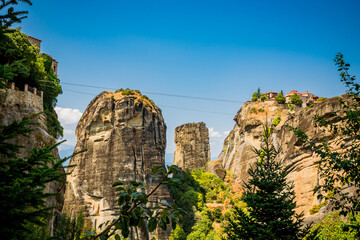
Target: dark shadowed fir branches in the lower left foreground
23, 182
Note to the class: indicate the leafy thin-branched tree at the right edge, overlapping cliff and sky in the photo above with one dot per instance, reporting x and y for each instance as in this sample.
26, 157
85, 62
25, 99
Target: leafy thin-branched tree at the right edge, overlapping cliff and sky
340, 169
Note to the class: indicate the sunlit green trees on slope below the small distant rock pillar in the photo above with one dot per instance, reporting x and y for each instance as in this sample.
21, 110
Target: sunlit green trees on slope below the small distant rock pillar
197, 188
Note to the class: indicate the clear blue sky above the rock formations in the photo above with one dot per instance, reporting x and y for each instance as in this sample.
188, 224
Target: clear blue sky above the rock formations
217, 49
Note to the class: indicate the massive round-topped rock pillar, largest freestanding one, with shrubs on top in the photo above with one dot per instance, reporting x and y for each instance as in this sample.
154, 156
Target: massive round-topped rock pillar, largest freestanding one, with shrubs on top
124, 137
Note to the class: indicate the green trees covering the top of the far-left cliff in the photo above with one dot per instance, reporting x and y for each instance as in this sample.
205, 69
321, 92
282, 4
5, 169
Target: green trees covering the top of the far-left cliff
23, 63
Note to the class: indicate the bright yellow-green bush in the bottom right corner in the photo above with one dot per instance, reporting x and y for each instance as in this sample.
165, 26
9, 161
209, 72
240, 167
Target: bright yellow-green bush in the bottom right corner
333, 227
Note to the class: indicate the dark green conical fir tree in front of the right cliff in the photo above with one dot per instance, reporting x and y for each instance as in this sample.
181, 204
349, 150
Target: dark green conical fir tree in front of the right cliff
269, 198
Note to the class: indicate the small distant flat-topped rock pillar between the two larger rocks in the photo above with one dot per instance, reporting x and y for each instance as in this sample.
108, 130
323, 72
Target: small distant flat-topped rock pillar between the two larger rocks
192, 146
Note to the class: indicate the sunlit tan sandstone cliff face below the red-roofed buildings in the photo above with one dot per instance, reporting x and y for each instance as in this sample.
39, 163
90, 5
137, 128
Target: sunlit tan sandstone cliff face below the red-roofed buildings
237, 154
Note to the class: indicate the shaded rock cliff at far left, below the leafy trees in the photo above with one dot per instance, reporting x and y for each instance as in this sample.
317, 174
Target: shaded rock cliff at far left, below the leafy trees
14, 105
